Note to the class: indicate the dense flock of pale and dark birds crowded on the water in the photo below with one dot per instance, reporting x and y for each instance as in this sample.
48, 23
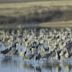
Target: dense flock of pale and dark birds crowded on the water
55, 43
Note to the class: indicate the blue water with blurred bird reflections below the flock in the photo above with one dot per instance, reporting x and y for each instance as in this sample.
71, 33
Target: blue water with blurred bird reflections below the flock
16, 64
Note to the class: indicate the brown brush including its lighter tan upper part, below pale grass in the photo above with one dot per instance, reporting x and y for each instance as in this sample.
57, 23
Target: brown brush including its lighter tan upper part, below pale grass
38, 14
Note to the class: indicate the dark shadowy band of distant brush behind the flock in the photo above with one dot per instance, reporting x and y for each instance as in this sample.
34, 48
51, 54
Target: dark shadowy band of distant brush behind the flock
36, 16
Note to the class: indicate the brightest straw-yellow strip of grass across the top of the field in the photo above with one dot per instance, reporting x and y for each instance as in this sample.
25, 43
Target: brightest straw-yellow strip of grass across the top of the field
29, 4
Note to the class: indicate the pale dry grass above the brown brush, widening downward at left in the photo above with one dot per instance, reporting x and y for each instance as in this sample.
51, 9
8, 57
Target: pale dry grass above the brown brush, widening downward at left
17, 9
